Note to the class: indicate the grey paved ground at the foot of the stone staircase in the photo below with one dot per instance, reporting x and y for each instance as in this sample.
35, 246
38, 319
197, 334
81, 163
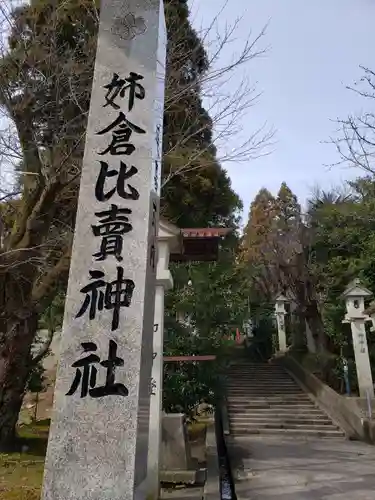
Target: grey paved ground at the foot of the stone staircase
270, 468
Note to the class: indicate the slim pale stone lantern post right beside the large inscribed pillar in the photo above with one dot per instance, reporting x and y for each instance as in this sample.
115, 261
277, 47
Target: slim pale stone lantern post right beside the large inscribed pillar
168, 240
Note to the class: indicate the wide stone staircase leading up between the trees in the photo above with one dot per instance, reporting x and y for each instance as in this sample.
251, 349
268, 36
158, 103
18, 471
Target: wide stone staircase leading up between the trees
264, 399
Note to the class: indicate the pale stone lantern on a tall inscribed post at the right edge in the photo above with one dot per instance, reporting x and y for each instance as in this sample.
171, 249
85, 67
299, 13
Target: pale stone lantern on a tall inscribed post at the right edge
354, 296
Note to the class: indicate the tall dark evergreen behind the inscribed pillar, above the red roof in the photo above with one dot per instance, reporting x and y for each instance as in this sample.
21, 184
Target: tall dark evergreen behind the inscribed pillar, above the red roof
198, 192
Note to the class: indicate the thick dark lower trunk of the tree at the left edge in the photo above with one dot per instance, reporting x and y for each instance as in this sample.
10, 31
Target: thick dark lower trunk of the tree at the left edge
15, 364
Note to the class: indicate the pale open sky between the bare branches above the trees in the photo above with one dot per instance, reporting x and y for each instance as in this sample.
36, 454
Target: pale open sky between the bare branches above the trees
316, 47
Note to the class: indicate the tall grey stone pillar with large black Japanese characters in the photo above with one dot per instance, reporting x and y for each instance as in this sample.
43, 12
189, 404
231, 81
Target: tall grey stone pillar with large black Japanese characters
98, 443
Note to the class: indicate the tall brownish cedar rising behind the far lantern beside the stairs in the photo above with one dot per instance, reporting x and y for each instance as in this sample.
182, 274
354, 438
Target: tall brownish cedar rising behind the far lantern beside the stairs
276, 248
